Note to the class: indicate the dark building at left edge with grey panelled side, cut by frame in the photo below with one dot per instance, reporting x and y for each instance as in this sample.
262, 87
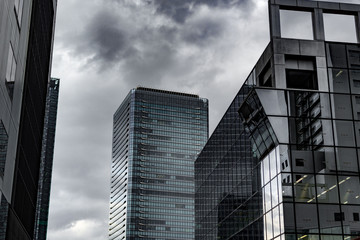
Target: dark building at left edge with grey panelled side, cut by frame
26, 36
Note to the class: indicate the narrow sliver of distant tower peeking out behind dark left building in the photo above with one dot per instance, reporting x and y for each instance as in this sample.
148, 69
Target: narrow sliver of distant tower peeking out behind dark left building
47, 154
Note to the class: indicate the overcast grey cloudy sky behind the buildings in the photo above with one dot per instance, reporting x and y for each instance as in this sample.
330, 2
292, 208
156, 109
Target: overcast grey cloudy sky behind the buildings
104, 48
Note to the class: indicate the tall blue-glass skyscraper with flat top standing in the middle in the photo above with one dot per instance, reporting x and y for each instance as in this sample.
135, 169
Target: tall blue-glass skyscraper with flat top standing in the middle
156, 138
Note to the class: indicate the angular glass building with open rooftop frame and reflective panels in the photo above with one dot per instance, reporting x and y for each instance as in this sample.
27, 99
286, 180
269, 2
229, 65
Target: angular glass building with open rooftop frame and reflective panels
283, 163
